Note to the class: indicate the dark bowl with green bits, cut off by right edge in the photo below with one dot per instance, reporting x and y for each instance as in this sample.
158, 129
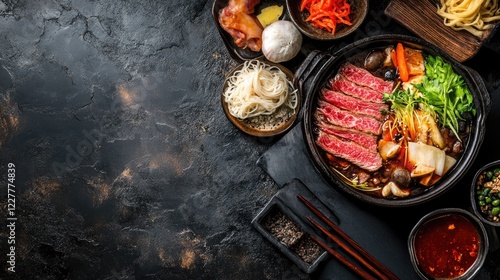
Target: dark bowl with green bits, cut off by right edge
485, 194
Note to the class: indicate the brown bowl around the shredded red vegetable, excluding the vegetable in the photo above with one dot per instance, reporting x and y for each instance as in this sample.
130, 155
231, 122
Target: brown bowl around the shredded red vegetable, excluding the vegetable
359, 10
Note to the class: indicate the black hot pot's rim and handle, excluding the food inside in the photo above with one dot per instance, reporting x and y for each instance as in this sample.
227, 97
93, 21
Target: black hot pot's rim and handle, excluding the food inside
317, 69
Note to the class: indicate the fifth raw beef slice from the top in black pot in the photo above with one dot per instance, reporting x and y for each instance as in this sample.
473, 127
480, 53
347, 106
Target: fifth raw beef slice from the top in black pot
369, 141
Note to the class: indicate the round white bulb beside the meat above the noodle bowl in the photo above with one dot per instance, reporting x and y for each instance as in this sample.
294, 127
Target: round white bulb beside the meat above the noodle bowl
281, 41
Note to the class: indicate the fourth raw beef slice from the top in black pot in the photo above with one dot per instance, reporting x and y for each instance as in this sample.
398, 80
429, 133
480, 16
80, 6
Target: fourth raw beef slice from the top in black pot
347, 119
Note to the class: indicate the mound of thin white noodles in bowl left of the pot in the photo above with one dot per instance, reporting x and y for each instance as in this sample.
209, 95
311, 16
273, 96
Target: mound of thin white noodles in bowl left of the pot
258, 89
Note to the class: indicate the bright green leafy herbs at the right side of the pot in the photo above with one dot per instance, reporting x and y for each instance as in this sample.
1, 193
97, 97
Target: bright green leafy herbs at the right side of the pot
445, 92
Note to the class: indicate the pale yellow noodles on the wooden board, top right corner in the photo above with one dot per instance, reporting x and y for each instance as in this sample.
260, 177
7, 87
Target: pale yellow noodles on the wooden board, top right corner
474, 16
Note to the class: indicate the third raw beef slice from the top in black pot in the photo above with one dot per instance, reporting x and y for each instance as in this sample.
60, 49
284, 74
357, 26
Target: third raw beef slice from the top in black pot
353, 104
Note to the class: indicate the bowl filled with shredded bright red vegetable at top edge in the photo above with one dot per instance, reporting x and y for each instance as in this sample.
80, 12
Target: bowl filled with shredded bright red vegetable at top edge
327, 19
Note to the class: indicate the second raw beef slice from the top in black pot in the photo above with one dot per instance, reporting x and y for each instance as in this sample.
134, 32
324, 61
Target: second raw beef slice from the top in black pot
341, 83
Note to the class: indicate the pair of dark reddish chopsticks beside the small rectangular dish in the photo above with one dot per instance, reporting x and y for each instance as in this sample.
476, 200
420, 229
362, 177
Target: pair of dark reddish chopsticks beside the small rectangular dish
377, 269
